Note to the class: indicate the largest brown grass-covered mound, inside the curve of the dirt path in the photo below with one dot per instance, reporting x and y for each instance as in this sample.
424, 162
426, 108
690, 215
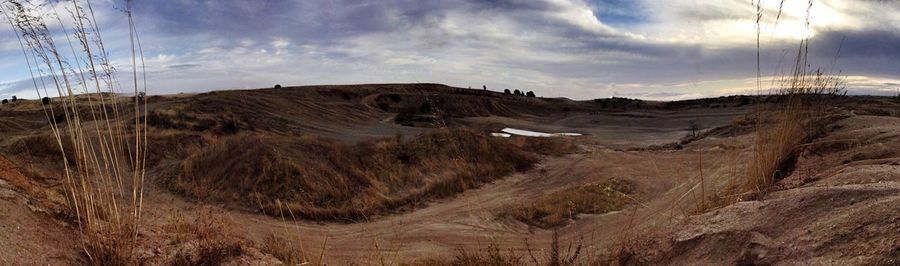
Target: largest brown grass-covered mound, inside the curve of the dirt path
322, 179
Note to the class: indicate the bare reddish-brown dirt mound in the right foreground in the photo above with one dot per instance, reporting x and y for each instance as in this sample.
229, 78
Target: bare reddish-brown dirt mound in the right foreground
837, 207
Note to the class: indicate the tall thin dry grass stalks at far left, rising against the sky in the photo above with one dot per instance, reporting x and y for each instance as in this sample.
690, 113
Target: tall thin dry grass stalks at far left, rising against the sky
103, 152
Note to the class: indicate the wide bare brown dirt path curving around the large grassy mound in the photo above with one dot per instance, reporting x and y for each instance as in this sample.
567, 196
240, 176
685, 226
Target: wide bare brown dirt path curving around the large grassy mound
470, 220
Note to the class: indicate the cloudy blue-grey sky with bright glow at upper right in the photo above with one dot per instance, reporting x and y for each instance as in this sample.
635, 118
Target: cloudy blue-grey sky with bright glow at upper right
649, 49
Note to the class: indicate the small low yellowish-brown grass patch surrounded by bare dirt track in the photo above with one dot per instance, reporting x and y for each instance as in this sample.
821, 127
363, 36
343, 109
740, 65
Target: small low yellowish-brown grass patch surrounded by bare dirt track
558, 208
